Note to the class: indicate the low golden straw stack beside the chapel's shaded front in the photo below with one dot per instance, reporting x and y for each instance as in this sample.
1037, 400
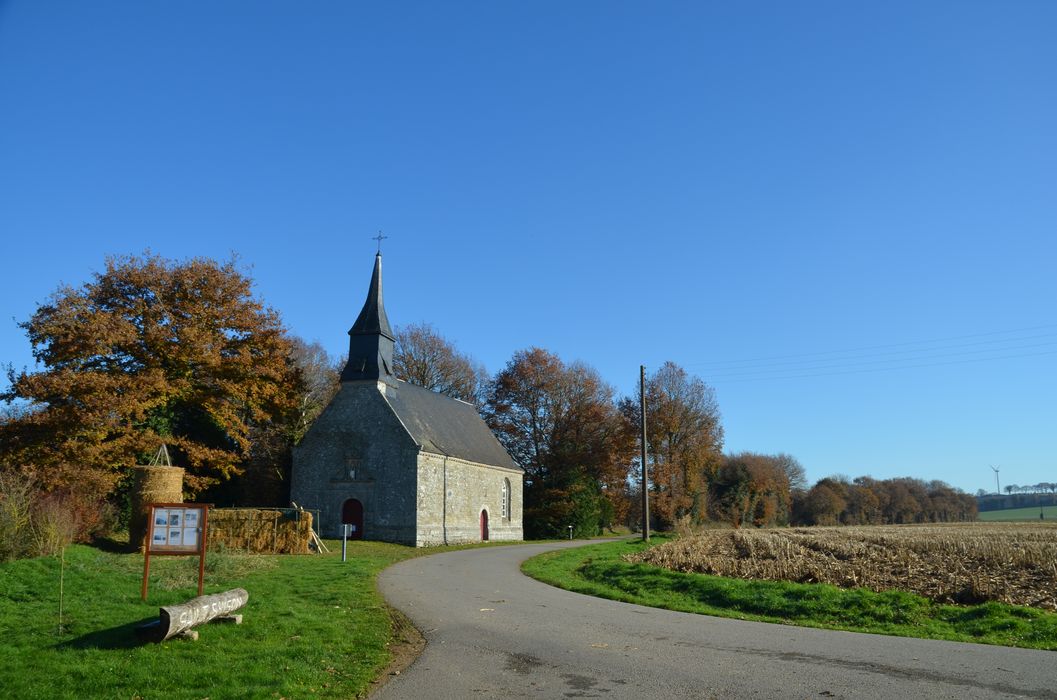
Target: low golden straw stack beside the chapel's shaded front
262, 531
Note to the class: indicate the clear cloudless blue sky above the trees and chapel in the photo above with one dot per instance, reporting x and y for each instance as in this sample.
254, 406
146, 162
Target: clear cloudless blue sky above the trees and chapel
841, 215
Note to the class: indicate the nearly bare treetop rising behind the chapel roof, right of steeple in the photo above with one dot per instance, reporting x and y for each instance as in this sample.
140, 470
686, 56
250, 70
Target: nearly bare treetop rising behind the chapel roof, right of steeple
425, 358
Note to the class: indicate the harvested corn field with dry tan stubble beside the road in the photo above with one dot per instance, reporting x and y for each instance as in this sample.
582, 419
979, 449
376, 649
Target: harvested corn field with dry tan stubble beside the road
965, 563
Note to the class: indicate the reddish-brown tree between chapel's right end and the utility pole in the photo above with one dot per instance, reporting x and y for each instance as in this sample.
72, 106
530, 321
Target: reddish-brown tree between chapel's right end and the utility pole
561, 423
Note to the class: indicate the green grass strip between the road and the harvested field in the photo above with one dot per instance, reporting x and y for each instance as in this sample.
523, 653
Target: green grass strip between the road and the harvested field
600, 570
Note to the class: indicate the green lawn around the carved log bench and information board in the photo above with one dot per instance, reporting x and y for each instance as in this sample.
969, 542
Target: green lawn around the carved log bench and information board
313, 627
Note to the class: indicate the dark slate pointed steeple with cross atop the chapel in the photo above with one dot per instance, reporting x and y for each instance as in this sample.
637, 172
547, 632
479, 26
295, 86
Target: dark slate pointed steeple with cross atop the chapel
372, 339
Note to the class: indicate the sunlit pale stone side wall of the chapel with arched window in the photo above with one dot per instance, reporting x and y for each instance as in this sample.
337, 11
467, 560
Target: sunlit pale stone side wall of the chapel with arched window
454, 492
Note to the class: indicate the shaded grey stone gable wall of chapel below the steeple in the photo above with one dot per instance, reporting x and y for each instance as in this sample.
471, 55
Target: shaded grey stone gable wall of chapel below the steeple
358, 449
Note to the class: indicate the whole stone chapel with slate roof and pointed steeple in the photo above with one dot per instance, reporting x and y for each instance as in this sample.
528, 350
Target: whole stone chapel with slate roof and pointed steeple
398, 463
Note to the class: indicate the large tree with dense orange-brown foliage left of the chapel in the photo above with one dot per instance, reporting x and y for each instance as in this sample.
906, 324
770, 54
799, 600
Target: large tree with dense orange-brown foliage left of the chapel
151, 352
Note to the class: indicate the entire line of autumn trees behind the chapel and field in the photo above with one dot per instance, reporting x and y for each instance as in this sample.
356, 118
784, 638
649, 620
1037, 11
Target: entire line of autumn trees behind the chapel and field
153, 351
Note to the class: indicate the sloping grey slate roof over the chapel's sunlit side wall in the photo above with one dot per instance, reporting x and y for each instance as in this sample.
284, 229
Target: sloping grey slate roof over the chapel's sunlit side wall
446, 427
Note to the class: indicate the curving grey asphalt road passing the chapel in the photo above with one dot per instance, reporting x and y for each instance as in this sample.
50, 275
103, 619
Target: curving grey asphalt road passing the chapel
493, 633
